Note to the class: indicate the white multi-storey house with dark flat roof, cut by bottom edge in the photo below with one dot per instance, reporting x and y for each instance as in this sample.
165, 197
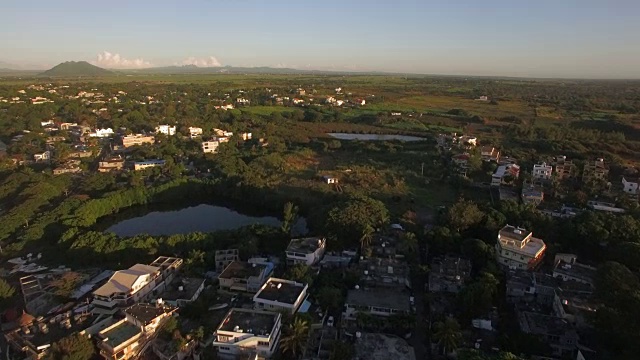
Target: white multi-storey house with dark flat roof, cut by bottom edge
244, 331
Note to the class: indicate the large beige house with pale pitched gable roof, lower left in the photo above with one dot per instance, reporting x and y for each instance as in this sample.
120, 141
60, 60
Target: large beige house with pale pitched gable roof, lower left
127, 287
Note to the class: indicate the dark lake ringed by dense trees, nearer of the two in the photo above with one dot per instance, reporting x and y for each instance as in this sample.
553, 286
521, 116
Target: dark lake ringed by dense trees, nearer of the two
199, 218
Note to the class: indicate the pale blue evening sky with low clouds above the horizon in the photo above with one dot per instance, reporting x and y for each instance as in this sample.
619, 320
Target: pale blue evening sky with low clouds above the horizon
542, 38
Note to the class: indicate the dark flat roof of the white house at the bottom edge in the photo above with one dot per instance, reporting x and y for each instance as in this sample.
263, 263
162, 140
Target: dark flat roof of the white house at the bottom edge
249, 321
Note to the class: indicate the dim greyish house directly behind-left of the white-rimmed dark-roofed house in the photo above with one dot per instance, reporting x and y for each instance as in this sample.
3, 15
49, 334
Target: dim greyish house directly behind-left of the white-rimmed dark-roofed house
244, 276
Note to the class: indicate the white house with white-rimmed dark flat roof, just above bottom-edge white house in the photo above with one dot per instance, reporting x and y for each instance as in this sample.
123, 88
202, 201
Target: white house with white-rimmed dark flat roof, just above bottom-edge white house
280, 295
